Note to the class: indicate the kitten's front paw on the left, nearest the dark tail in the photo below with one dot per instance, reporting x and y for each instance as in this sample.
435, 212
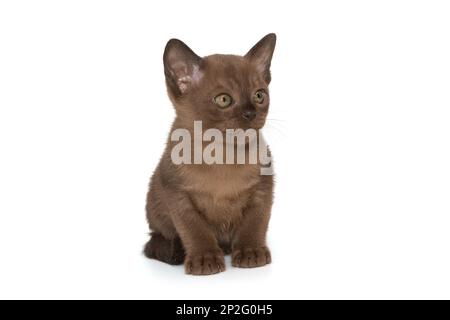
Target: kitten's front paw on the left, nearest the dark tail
205, 263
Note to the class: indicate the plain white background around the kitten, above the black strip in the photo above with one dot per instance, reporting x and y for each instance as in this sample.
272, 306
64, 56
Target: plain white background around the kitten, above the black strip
359, 130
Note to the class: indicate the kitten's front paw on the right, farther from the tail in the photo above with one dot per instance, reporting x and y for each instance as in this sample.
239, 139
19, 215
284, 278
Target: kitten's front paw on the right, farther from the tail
251, 257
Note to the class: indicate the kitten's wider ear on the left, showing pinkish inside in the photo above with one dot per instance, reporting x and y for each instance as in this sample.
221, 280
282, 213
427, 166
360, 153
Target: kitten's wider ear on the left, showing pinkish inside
181, 66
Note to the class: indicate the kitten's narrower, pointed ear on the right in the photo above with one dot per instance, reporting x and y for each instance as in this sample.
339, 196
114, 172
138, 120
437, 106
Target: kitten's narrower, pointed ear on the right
261, 54
